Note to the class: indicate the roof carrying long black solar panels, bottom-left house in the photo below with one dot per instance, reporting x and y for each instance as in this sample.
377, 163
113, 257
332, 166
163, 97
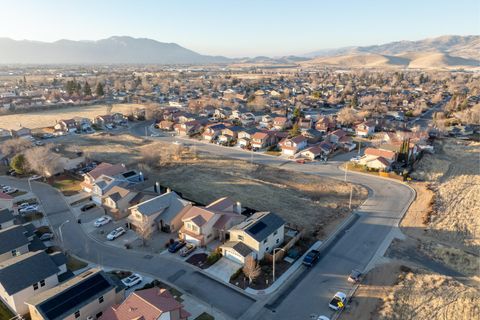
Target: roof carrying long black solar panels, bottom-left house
72, 295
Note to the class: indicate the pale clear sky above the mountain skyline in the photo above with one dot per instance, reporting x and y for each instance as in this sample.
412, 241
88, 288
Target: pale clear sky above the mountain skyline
241, 27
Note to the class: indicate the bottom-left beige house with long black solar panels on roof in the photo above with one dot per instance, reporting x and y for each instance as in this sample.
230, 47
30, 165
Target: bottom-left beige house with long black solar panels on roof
86, 296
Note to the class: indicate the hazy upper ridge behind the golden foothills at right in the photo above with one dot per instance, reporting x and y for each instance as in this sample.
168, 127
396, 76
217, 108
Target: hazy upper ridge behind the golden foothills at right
467, 47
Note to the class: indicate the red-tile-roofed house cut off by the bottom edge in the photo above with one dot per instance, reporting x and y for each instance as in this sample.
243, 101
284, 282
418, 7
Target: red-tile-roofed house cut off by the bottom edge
153, 303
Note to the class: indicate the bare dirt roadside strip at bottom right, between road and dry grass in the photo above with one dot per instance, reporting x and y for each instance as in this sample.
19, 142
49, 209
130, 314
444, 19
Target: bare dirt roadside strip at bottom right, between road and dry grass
375, 286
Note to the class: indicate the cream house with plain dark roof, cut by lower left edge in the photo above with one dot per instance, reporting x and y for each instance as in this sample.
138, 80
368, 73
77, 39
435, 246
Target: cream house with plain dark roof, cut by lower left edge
28, 275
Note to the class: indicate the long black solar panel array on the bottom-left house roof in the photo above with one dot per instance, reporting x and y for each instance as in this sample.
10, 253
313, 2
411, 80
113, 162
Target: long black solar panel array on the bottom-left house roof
67, 300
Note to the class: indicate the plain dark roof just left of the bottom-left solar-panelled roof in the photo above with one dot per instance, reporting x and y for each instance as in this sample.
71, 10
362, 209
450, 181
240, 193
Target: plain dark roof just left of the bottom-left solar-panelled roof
23, 271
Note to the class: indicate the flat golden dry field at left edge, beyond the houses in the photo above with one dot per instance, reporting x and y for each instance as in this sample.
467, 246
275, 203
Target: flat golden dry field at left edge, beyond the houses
48, 118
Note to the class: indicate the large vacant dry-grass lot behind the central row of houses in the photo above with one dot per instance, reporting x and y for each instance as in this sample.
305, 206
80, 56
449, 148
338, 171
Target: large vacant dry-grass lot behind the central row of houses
314, 203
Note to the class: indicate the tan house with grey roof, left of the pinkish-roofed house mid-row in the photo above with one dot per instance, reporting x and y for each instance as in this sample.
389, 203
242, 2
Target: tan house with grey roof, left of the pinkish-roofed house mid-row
164, 212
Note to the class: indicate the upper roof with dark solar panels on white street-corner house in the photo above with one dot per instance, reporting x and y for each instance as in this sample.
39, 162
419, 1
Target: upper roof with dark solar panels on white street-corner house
260, 225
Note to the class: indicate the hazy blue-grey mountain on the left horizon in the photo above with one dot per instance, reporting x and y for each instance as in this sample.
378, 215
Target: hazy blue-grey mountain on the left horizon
114, 50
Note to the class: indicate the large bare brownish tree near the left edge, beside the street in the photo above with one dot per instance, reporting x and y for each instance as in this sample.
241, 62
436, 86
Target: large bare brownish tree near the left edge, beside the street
43, 161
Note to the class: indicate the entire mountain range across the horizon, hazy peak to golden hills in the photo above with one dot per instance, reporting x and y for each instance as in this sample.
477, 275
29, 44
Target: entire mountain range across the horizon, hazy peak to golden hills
441, 52
